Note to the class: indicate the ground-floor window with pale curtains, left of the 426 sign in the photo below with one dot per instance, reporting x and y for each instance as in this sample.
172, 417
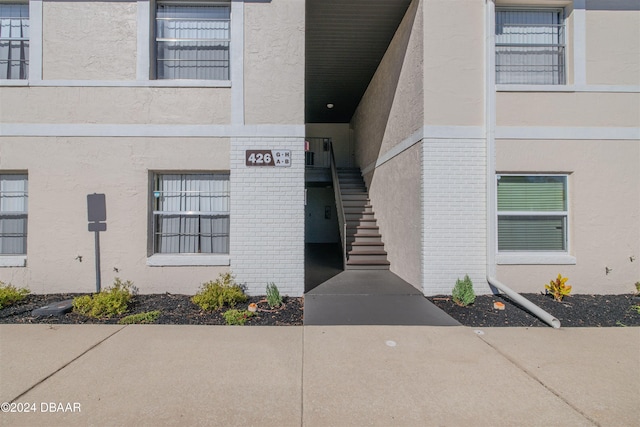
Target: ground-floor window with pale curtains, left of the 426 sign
191, 213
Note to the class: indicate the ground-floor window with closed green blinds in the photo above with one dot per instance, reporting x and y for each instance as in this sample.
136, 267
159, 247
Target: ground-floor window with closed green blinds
532, 213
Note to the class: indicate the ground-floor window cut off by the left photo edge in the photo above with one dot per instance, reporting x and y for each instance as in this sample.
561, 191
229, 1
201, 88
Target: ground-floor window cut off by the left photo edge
13, 214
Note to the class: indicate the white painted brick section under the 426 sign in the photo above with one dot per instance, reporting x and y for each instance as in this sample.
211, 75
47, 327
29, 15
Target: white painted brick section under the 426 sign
267, 218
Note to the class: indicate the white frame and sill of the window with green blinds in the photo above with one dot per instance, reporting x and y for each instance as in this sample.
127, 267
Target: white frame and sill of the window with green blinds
543, 257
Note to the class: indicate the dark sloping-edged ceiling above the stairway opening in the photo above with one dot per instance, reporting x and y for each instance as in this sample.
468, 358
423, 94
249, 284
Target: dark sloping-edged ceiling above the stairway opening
345, 41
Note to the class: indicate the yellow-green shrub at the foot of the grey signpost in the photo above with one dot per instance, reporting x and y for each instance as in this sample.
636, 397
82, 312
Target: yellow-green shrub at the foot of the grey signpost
108, 303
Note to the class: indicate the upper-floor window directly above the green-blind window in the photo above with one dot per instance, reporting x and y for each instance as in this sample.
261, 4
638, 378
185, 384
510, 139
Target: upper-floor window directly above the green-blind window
530, 46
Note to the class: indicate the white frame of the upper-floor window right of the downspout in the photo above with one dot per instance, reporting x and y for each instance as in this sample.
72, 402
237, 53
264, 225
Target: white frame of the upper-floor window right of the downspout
562, 74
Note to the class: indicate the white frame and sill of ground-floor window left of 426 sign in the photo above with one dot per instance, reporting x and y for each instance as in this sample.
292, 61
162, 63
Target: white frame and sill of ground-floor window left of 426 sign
159, 259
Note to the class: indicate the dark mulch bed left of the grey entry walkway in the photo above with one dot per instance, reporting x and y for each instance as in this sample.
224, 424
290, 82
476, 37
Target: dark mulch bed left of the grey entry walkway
174, 310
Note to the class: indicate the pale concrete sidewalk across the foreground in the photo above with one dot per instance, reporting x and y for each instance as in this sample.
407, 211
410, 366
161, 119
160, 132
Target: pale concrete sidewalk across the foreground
108, 375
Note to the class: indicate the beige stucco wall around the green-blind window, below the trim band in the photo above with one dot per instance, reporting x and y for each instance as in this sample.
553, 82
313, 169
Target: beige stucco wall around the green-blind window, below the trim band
604, 212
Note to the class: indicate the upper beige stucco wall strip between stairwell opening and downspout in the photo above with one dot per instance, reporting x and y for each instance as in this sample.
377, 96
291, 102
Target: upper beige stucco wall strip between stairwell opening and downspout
454, 62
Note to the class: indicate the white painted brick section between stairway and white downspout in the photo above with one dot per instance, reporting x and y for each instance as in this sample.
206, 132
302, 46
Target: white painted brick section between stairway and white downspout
455, 218
